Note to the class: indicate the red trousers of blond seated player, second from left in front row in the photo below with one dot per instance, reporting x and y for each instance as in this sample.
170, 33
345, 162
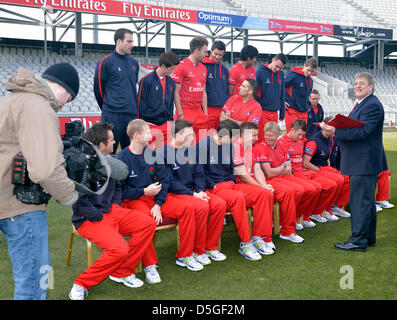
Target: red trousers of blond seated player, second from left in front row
171, 208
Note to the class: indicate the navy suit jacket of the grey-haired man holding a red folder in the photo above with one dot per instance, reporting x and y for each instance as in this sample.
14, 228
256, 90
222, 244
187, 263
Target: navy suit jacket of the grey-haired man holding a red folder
361, 148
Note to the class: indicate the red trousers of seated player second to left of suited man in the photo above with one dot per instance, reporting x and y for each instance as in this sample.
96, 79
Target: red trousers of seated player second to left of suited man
328, 190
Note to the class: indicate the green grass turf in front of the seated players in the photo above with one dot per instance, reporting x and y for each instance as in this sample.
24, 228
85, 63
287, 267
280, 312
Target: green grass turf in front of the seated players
312, 270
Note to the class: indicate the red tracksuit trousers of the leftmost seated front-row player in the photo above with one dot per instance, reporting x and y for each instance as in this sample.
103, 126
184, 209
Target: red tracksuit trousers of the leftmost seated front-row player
119, 258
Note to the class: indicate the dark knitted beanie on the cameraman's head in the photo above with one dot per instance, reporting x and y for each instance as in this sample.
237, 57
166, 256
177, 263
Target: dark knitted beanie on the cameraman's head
65, 75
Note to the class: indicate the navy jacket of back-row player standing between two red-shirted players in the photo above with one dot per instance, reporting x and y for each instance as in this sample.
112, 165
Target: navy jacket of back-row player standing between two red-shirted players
217, 85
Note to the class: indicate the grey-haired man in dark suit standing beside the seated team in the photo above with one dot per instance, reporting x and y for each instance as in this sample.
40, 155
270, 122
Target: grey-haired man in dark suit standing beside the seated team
362, 159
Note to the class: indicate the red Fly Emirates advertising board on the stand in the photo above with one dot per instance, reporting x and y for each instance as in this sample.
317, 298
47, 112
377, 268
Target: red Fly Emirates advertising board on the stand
114, 7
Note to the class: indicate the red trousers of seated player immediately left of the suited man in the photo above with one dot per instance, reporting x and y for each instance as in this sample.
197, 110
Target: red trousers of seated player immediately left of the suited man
341, 197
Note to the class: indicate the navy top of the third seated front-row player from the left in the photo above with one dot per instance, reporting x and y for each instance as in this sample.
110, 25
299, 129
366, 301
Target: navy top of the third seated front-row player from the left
186, 176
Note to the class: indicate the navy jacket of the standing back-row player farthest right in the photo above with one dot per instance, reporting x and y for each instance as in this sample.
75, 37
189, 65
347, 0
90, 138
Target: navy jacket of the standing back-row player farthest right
297, 89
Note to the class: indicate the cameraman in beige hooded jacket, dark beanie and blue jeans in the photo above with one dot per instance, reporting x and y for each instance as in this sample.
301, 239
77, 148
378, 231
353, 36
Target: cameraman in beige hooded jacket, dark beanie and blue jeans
29, 124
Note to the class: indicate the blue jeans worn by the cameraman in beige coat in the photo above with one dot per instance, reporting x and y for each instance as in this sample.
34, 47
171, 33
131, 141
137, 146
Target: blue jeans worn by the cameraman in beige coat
27, 240
